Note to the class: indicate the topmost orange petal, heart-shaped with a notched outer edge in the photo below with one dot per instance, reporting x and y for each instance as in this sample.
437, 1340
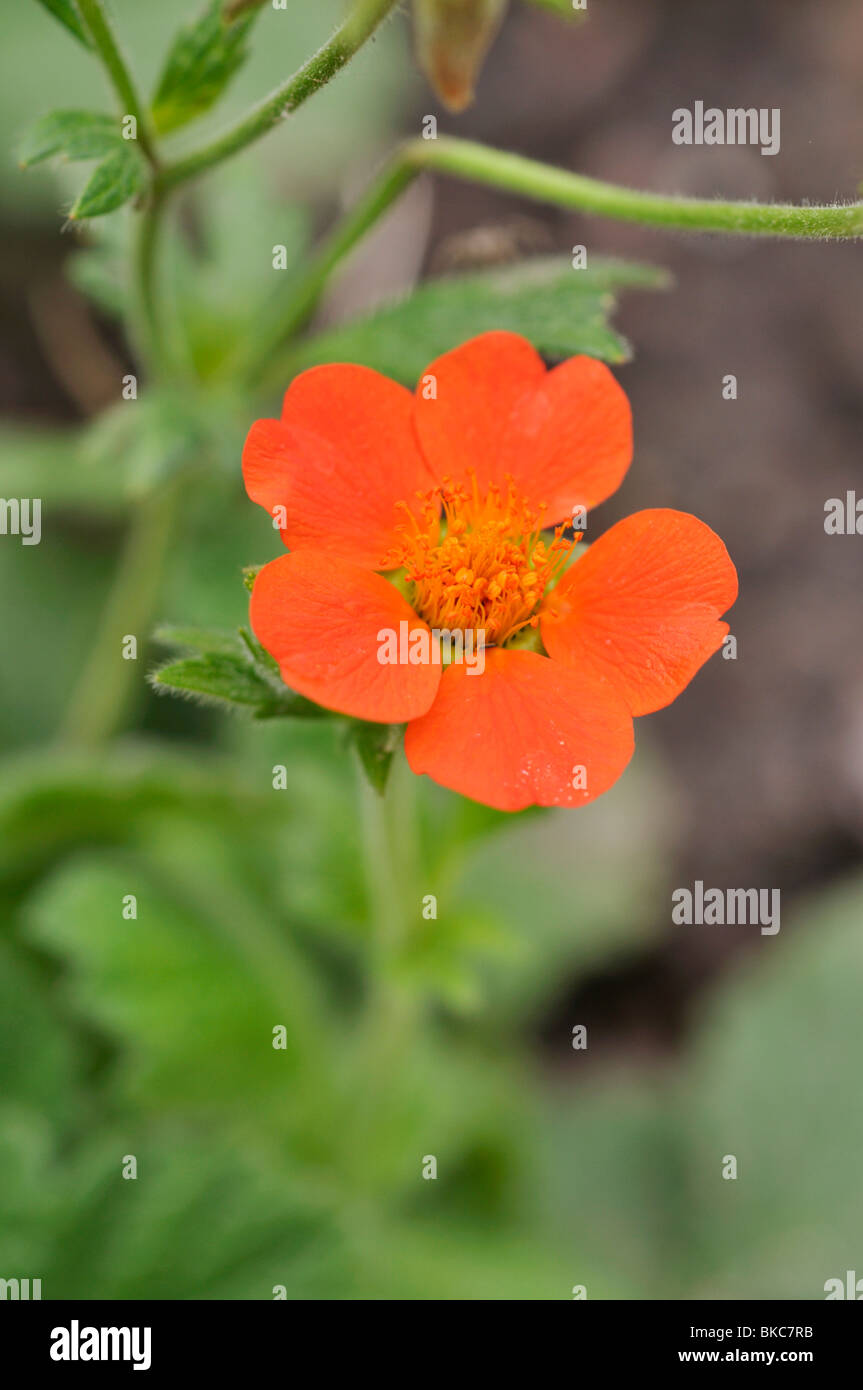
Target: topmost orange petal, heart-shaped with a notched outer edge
564, 436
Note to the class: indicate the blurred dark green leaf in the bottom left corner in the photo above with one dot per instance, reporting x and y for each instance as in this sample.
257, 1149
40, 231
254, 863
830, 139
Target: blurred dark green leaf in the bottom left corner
211, 1217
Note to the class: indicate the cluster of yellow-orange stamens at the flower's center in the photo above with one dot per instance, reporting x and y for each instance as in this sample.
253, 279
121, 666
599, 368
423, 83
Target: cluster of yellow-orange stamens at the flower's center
487, 568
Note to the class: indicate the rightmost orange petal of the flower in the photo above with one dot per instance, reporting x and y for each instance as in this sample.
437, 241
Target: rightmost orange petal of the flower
643, 605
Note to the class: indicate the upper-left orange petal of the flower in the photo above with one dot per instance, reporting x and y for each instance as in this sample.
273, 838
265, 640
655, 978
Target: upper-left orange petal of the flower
338, 461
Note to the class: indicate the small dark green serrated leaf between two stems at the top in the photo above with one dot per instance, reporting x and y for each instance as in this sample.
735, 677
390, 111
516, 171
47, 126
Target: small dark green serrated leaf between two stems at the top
204, 59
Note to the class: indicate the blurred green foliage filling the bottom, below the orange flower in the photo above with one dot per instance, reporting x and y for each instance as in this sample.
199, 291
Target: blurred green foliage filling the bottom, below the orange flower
301, 1167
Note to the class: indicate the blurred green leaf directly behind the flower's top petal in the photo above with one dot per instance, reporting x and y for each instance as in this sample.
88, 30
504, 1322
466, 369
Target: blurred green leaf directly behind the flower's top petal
559, 309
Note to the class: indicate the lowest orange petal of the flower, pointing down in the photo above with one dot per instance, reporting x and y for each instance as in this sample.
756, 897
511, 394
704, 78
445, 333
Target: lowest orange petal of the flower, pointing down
518, 735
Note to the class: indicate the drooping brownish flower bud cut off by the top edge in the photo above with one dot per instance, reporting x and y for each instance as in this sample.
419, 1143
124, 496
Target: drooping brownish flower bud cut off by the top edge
452, 41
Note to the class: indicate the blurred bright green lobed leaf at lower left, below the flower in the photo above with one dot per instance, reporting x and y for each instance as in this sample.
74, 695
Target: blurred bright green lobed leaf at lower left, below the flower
202, 972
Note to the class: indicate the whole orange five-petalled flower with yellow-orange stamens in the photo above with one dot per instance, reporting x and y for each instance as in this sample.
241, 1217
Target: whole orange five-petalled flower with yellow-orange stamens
423, 515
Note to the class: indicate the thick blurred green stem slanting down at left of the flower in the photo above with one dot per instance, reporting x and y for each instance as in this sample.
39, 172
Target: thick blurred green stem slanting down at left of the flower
104, 690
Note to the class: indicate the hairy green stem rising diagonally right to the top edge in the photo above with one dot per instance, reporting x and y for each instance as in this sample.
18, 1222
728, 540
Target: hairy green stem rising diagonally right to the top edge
361, 24
